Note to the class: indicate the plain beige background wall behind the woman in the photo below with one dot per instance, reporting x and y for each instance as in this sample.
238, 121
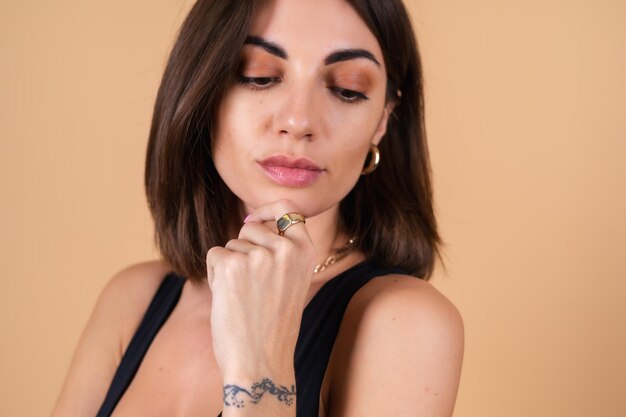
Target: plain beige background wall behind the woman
525, 110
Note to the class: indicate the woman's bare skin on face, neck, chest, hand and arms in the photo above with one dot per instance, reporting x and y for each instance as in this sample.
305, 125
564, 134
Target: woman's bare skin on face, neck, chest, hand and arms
399, 348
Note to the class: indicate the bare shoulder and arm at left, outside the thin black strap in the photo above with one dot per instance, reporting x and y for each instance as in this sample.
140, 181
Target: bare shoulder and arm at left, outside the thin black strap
114, 319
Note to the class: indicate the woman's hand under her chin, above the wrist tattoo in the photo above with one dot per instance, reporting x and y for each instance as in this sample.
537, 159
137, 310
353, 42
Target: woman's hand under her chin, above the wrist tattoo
259, 283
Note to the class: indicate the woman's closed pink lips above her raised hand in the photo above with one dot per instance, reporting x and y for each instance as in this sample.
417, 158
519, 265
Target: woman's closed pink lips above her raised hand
290, 172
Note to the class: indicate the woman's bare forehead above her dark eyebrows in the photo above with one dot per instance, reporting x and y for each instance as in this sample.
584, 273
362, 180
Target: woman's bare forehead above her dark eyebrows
313, 26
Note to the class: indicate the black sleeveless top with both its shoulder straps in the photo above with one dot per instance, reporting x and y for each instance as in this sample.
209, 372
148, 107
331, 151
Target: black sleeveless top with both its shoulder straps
318, 330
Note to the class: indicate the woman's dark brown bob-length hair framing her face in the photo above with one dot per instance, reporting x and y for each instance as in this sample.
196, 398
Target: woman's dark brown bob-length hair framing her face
390, 210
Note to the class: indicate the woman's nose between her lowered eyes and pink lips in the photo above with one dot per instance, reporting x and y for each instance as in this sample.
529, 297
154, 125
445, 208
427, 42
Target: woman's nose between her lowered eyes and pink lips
295, 115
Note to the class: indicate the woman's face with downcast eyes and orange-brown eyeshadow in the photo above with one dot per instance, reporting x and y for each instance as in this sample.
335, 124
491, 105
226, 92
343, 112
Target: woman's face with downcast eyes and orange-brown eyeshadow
309, 101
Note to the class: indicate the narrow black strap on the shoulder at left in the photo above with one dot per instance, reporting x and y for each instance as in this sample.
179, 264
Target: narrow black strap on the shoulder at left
159, 310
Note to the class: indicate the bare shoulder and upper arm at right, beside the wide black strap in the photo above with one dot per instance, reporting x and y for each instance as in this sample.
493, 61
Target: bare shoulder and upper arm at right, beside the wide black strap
399, 351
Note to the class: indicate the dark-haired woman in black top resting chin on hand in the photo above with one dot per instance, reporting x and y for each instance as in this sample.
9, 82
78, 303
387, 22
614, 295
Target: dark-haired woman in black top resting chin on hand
287, 173
